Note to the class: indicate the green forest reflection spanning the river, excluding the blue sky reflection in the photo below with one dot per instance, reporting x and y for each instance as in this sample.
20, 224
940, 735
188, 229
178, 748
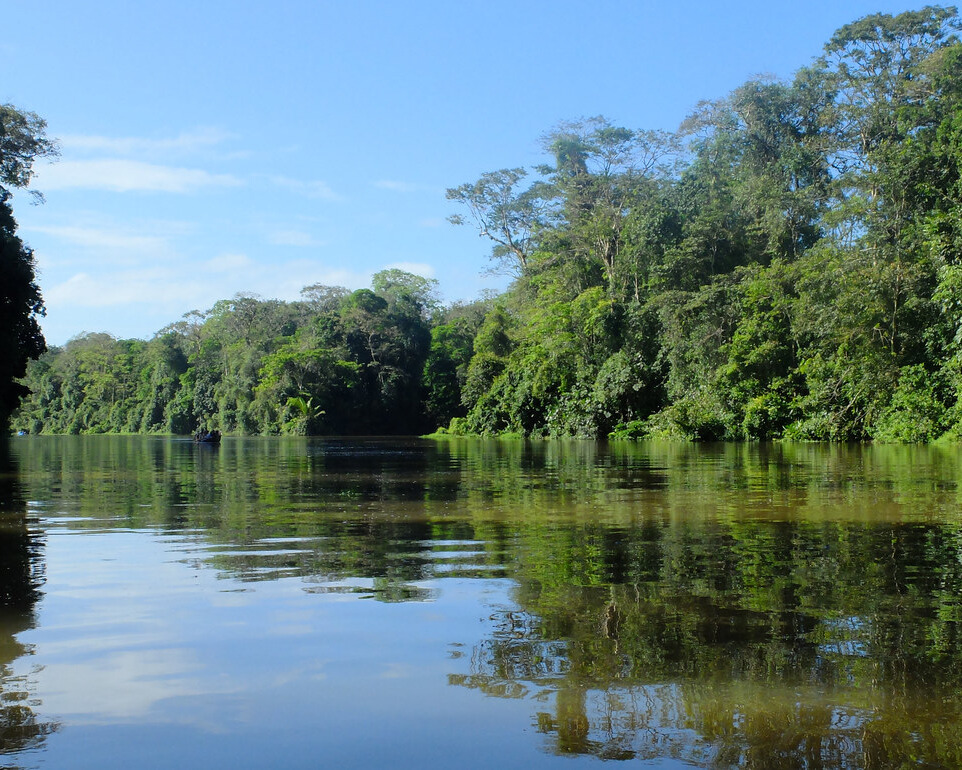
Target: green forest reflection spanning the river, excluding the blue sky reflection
752, 605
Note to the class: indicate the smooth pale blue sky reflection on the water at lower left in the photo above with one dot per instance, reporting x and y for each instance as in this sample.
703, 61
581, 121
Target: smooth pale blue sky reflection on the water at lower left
141, 654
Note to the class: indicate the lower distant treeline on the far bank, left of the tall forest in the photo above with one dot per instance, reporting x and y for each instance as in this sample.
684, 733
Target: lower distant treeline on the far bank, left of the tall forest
381, 361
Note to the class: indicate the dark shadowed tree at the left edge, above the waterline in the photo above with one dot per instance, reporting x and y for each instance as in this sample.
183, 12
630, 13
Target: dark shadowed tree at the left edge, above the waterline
22, 141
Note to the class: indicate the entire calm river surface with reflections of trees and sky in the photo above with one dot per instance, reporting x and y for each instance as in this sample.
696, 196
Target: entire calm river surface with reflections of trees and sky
465, 603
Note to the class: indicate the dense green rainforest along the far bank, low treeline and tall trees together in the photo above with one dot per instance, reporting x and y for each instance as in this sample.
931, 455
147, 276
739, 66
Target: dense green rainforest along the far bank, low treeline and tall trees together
788, 264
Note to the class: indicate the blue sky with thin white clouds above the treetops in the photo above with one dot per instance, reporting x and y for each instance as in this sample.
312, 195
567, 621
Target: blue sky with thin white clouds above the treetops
212, 147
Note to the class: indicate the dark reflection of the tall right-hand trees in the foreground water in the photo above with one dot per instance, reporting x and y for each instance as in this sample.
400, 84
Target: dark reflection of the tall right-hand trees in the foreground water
759, 645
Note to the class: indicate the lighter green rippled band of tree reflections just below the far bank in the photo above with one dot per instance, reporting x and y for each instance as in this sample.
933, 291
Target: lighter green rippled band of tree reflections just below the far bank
151, 481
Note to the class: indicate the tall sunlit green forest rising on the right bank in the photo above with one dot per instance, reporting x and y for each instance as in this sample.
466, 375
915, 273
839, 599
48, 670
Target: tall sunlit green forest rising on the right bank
792, 275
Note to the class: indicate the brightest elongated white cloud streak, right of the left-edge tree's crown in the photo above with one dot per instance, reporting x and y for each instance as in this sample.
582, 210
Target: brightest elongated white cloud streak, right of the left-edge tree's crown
118, 175
